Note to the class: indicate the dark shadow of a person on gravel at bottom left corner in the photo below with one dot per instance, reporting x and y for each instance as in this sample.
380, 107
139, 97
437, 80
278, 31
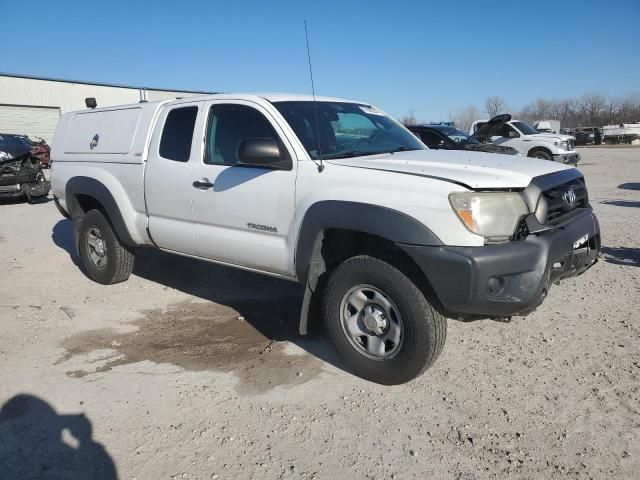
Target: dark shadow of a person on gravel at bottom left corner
37, 442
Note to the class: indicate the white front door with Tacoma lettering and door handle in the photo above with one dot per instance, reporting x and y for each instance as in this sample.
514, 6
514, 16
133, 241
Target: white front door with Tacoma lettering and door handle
243, 214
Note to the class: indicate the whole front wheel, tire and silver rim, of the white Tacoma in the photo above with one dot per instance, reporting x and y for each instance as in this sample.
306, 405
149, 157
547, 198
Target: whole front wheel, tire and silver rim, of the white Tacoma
380, 322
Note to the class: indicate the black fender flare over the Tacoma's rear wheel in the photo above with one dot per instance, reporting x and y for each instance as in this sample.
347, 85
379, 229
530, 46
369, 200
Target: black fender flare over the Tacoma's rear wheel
96, 189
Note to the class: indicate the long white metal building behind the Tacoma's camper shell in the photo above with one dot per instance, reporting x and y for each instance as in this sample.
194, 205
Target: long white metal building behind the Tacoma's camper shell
32, 105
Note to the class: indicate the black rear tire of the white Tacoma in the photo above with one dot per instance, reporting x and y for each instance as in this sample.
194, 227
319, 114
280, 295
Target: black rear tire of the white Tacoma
118, 258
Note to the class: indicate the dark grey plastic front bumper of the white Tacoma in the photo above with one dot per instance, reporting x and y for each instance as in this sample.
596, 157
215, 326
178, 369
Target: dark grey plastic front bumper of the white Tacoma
507, 279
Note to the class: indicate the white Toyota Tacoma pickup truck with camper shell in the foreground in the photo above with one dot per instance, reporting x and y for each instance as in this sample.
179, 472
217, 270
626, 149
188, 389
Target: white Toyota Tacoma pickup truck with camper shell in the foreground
389, 238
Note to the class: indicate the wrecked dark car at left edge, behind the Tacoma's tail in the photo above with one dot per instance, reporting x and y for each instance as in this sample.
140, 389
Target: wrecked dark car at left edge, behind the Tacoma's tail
21, 174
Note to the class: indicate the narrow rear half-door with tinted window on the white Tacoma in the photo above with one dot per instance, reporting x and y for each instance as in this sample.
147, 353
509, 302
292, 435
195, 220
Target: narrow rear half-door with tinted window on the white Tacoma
167, 178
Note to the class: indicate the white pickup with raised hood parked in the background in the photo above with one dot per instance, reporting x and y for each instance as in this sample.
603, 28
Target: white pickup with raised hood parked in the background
527, 140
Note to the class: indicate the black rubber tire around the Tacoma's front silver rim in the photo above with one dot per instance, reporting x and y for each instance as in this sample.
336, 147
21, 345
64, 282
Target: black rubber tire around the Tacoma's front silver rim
424, 328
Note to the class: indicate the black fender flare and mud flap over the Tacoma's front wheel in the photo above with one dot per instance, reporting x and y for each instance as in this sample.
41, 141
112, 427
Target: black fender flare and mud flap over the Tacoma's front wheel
367, 218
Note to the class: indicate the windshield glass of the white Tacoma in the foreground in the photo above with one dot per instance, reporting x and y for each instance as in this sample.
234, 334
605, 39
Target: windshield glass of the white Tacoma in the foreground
345, 129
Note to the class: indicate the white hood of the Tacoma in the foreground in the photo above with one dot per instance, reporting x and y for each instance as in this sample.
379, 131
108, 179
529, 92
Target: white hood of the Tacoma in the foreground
472, 170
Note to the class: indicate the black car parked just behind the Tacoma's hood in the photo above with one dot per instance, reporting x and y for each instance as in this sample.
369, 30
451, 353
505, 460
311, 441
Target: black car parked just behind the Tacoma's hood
445, 137
